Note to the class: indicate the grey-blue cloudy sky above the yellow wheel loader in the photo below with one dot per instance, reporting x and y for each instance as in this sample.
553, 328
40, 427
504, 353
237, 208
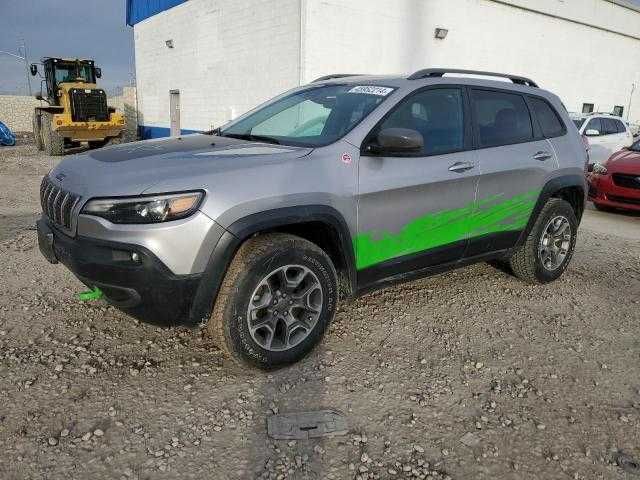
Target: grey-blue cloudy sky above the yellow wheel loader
65, 28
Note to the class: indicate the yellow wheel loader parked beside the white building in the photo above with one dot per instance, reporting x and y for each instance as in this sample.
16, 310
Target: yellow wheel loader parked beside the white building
77, 109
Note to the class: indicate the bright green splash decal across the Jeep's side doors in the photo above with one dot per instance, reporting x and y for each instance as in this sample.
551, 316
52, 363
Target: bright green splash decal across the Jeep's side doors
490, 215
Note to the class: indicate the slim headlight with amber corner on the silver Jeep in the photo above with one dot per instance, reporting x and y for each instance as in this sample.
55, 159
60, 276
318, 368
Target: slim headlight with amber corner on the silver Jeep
151, 209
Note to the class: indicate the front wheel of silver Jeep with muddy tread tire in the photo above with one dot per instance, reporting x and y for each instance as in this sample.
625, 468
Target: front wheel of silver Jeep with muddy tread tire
254, 278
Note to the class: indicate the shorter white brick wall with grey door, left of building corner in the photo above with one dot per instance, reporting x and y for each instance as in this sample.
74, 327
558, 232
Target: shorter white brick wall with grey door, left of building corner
227, 57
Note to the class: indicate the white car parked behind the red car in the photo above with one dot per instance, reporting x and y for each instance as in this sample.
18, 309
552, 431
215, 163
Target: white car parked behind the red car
606, 134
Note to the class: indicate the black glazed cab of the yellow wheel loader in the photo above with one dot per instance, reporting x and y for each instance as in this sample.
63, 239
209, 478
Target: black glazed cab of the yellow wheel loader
58, 71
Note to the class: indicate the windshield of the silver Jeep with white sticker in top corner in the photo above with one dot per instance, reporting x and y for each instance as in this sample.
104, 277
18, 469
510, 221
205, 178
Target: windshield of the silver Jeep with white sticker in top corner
312, 117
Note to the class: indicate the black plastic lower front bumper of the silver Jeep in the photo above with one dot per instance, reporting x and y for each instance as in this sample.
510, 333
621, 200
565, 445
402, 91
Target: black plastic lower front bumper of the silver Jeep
143, 285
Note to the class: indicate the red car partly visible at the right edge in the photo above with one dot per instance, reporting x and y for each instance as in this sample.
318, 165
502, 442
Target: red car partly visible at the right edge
616, 182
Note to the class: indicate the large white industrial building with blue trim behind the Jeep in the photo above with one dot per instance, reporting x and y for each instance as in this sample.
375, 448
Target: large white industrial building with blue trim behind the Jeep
208, 61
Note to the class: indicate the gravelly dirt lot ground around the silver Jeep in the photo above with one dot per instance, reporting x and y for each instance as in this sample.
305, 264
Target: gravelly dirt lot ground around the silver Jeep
471, 374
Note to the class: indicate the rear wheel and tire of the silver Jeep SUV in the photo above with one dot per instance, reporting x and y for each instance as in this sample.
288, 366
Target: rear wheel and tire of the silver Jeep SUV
527, 262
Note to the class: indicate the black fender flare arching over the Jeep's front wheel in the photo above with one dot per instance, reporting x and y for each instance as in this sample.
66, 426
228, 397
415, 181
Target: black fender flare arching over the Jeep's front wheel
246, 227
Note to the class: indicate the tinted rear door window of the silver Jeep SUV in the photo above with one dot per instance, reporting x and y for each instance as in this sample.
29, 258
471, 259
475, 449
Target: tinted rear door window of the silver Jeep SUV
500, 118
